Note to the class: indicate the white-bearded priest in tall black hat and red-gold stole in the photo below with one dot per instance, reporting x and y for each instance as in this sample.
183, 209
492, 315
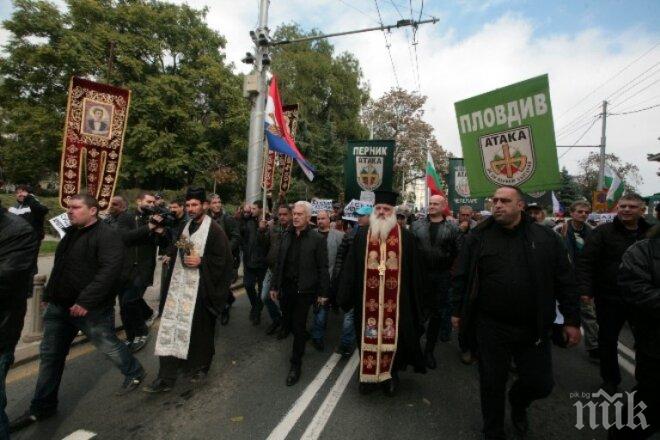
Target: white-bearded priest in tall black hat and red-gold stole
382, 282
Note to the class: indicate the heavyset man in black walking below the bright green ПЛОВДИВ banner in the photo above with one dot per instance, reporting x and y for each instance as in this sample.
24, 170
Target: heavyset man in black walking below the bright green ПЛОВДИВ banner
510, 273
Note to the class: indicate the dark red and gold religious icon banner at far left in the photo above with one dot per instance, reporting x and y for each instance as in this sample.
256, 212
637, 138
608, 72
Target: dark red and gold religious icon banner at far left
96, 120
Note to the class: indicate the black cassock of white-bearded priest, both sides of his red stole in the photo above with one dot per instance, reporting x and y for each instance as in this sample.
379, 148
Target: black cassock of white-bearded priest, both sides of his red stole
411, 297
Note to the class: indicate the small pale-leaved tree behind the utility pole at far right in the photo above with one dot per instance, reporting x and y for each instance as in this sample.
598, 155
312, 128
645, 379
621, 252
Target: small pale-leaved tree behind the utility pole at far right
588, 177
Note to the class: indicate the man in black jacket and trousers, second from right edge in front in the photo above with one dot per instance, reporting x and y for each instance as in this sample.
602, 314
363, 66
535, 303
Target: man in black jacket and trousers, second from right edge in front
597, 270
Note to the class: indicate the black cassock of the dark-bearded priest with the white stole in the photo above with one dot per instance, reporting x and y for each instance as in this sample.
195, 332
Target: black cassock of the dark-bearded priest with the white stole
215, 275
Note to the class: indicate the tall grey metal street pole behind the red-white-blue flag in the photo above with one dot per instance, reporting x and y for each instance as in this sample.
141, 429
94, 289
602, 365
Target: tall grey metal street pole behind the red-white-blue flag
256, 138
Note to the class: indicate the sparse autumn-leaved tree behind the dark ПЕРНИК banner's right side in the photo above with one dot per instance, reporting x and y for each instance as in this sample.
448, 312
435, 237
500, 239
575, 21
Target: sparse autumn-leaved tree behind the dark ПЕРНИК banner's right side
398, 115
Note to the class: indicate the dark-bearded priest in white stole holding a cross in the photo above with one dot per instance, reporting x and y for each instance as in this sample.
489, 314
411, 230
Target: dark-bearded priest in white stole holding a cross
202, 272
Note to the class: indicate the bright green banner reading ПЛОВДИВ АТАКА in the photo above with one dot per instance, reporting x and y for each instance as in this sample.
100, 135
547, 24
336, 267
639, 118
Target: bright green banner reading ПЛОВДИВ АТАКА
508, 138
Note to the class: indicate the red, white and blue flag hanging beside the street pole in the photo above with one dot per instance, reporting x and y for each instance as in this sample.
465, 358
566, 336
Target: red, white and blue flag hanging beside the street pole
277, 131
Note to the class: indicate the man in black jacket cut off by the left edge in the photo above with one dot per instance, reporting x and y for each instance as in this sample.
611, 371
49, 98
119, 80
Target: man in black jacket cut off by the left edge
18, 247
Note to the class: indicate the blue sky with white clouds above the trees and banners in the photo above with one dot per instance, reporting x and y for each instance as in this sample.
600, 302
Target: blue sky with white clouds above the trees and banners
591, 50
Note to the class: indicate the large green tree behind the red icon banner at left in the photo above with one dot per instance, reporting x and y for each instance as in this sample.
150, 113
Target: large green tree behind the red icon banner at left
186, 109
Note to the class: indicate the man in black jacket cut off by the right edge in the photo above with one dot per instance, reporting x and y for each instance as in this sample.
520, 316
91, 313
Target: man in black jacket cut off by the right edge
639, 280
